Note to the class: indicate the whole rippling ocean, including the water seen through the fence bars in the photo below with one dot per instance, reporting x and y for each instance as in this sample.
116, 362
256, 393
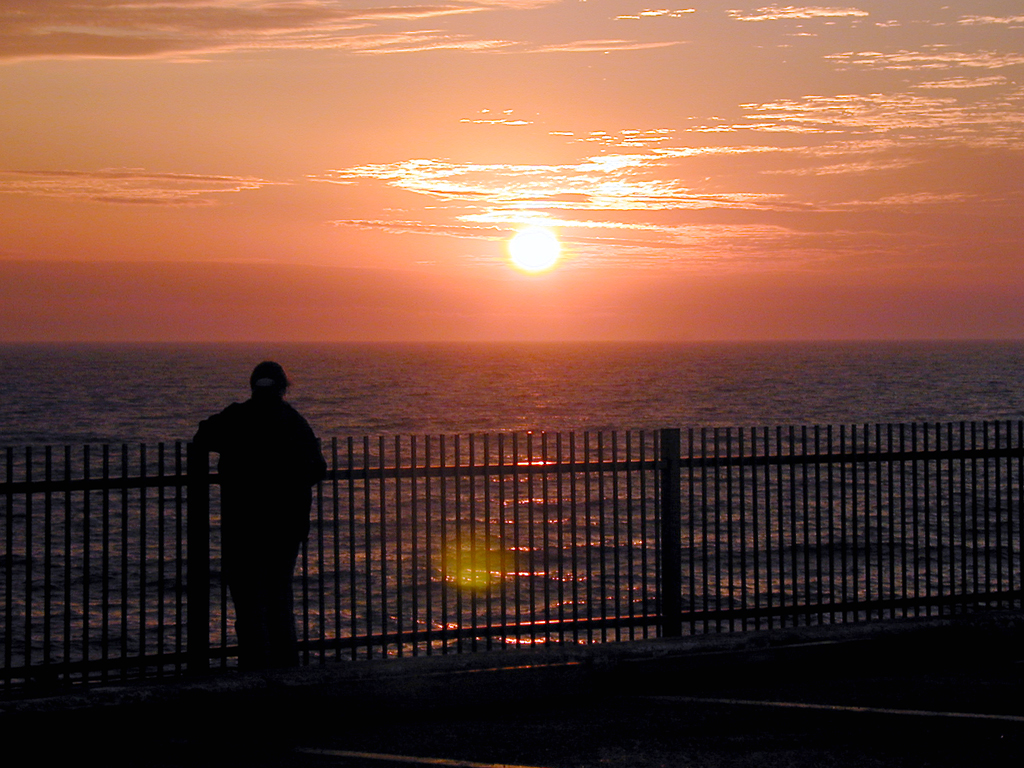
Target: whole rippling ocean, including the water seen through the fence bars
549, 548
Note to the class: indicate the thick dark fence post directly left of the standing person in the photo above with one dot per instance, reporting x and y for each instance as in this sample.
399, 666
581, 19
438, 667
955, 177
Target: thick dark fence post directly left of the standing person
198, 564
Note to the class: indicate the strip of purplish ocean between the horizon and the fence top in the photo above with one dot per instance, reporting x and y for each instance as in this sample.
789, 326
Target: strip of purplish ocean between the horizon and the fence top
54, 395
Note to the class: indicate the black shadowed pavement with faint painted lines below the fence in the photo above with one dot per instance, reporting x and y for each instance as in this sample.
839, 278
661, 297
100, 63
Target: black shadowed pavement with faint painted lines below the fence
908, 694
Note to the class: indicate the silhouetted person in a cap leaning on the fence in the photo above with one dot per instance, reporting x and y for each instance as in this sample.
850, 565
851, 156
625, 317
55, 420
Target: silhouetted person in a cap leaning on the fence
270, 460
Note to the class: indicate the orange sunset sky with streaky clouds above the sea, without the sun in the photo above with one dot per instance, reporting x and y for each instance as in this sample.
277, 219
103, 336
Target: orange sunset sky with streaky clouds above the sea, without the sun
311, 170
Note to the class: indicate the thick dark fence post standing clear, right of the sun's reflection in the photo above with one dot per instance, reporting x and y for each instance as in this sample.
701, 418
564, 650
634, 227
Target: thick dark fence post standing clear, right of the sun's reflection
671, 534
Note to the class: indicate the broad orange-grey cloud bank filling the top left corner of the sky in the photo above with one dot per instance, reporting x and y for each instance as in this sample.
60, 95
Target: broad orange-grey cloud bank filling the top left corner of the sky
126, 29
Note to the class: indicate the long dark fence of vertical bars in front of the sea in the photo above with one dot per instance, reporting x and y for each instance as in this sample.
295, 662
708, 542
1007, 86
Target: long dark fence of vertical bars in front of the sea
445, 544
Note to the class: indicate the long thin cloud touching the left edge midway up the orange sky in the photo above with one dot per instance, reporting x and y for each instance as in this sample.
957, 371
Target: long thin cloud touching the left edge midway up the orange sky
126, 187
